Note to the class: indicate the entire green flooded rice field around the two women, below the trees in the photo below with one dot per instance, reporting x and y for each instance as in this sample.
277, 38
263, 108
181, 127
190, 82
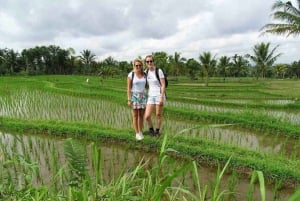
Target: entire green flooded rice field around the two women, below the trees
63, 138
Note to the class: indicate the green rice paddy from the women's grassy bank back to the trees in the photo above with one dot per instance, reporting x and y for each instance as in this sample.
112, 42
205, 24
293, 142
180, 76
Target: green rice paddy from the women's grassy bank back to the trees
254, 123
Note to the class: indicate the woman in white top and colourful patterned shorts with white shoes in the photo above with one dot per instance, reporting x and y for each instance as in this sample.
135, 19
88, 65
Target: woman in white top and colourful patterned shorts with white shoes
136, 96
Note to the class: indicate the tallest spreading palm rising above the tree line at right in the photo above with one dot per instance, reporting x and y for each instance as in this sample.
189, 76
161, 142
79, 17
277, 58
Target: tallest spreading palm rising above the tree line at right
263, 57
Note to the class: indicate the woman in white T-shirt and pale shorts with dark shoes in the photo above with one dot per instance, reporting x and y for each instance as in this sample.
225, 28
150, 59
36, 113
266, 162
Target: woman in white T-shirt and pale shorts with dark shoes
156, 81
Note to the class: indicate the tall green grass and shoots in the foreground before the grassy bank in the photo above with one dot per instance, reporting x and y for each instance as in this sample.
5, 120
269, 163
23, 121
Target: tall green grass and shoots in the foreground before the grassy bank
74, 180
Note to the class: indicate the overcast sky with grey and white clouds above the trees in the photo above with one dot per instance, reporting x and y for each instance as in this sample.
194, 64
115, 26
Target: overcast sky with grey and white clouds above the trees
126, 29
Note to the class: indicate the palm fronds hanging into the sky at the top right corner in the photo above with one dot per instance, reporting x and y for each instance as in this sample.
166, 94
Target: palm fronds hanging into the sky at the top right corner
289, 17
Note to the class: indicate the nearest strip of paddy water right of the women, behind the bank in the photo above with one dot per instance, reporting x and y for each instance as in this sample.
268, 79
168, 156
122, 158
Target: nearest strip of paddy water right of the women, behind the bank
267, 143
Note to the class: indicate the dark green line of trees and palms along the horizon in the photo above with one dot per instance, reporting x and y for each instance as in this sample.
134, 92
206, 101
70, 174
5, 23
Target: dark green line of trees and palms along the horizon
43, 60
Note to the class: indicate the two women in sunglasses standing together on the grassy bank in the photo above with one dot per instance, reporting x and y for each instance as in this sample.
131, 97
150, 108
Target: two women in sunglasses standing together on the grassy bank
143, 106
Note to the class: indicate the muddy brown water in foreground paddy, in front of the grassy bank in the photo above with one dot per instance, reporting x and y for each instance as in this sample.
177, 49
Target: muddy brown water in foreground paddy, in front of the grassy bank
42, 150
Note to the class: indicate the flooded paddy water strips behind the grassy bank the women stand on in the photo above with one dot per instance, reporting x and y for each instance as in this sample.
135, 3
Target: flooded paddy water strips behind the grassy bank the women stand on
34, 105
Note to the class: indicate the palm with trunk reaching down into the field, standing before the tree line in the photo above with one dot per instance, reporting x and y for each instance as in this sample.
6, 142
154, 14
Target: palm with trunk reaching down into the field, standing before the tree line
208, 63
